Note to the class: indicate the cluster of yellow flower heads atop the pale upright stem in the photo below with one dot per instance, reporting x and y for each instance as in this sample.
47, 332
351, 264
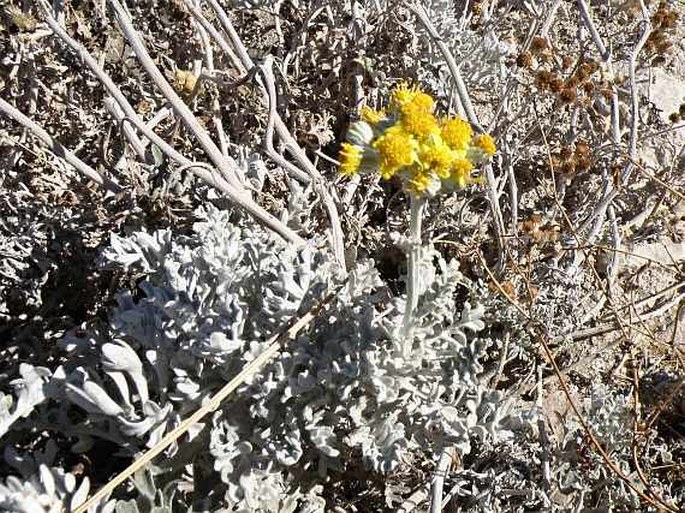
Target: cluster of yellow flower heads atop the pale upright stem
428, 154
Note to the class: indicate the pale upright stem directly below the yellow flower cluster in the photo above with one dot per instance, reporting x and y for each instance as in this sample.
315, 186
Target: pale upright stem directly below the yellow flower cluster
413, 259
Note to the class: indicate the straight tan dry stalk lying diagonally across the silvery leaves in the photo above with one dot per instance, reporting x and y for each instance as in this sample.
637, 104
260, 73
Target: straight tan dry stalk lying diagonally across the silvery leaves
273, 345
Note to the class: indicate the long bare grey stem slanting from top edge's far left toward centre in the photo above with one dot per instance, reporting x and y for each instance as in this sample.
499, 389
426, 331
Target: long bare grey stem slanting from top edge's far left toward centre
210, 176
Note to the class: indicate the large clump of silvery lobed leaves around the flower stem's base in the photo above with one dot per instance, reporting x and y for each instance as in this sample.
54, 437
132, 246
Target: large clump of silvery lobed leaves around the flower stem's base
338, 394
